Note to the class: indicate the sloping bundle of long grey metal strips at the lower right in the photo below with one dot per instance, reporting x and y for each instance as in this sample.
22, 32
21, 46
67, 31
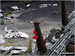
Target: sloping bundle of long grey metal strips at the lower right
60, 45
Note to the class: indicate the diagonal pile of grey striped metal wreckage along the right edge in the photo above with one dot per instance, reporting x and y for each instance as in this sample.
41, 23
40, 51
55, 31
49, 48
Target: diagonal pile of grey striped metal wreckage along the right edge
67, 37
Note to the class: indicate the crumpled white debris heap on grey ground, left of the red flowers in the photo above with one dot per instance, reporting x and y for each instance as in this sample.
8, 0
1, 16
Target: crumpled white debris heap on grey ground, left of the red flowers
15, 34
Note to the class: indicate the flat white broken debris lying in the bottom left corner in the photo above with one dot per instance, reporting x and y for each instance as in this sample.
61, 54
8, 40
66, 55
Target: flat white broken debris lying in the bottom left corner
12, 50
